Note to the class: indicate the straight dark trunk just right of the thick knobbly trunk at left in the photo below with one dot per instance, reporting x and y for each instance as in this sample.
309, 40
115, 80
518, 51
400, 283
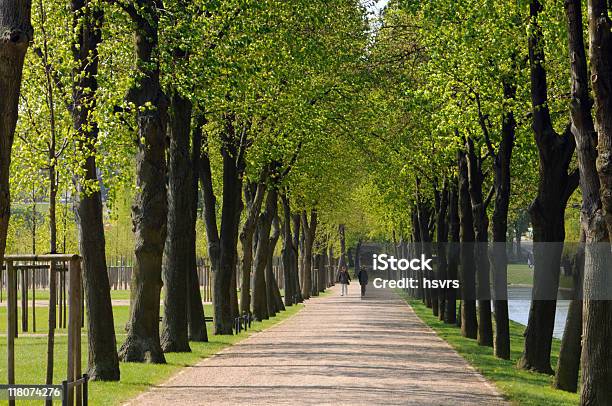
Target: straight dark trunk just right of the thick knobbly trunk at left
177, 261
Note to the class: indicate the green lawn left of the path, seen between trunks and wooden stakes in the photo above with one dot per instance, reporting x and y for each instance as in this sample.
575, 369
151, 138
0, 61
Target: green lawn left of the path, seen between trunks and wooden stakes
30, 357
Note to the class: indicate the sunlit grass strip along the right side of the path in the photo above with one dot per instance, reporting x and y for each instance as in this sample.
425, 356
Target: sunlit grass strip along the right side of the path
518, 386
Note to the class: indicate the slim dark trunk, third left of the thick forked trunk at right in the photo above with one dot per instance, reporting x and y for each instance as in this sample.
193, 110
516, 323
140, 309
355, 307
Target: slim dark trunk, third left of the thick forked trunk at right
469, 323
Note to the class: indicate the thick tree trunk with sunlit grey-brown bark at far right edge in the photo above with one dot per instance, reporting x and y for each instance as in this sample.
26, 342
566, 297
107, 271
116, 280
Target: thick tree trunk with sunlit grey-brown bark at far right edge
596, 209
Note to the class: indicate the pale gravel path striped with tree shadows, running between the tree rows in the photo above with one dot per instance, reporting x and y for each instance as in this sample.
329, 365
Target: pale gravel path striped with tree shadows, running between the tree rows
337, 350
